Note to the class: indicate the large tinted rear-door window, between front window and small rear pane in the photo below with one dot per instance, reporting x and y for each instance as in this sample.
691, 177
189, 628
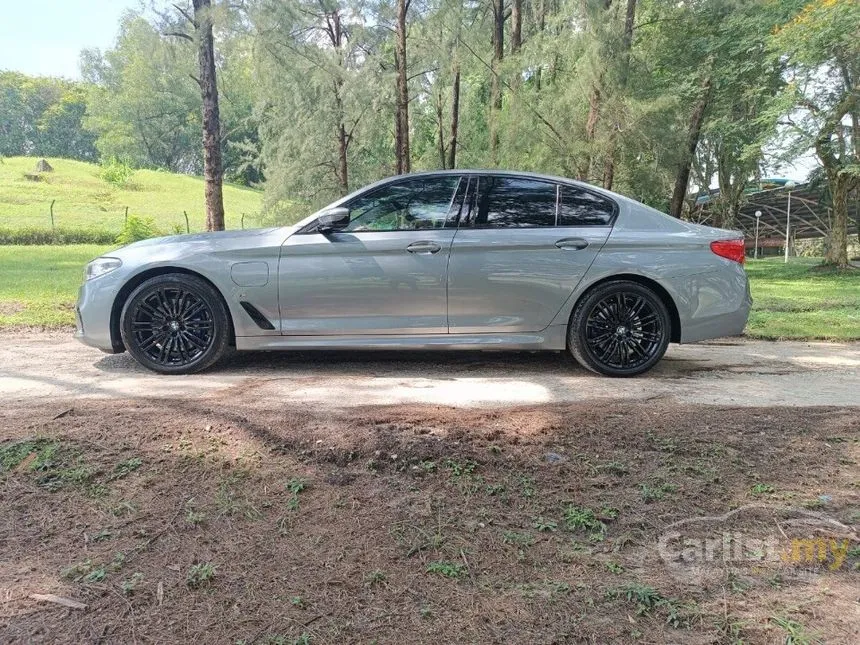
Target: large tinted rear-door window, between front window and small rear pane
509, 202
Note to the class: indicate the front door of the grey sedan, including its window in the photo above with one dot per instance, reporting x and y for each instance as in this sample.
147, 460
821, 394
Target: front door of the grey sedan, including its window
385, 273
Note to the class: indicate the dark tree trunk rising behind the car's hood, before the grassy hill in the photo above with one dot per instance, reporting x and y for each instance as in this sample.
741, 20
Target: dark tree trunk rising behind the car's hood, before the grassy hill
212, 164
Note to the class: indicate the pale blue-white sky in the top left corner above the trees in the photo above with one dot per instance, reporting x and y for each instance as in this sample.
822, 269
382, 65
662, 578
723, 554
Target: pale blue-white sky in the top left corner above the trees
45, 37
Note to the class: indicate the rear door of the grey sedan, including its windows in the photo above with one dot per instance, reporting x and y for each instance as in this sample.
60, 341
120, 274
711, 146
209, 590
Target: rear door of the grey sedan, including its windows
522, 247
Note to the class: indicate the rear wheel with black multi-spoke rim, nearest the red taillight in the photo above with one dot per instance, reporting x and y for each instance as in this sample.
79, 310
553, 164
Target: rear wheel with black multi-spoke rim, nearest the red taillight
619, 328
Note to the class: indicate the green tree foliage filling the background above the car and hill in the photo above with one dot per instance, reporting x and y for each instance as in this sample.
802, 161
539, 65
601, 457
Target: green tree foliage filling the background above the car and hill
656, 99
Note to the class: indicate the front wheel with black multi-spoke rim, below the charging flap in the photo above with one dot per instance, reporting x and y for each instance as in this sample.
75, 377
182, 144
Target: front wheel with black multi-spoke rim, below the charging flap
175, 324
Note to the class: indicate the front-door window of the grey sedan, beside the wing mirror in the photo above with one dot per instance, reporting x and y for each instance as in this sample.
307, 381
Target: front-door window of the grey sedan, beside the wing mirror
409, 205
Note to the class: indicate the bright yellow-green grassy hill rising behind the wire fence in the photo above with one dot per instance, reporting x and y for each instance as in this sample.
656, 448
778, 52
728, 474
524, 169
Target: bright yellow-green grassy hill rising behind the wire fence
85, 199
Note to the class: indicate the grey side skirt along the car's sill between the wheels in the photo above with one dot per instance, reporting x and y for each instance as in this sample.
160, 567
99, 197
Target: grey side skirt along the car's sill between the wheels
551, 338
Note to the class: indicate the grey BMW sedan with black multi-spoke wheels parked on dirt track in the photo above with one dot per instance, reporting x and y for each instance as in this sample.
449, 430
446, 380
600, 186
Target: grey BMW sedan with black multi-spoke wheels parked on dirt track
441, 260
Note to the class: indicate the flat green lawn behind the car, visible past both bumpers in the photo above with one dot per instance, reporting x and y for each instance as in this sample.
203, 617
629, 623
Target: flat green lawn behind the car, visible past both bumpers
40, 285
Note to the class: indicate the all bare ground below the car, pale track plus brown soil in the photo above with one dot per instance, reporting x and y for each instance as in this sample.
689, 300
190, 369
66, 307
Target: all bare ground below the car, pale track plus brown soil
270, 502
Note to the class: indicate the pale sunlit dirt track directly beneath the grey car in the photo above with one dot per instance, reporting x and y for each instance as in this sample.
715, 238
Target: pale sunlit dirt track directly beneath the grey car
36, 367
